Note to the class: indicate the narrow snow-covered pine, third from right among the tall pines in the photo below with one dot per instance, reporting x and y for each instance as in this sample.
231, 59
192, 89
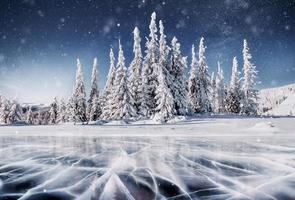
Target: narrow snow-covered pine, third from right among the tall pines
220, 94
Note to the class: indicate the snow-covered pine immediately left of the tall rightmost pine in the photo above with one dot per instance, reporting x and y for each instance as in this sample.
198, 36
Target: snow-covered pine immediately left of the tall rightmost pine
233, 97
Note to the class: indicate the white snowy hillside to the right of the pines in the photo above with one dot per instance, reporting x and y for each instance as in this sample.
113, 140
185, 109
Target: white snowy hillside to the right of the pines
278, 101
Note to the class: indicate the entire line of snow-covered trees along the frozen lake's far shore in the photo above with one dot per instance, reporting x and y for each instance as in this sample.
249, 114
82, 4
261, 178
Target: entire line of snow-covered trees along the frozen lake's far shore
155, 85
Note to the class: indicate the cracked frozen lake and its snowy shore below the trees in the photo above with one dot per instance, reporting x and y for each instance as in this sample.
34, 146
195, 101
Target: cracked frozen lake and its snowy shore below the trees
192, 159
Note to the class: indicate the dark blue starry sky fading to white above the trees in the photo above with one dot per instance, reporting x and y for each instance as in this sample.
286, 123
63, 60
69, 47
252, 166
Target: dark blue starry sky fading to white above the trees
41, 39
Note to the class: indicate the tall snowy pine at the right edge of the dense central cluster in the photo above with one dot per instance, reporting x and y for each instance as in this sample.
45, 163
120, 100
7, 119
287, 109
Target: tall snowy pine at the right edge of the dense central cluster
203, 81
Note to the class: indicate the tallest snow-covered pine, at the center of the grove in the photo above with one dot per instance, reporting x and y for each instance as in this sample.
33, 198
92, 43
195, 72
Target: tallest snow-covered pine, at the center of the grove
149, 71
